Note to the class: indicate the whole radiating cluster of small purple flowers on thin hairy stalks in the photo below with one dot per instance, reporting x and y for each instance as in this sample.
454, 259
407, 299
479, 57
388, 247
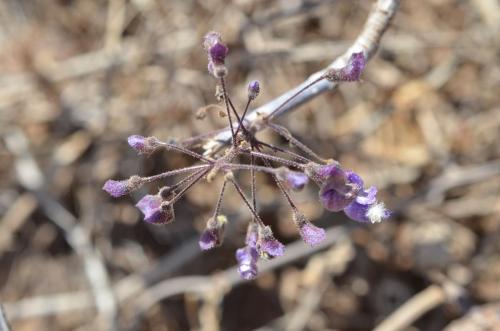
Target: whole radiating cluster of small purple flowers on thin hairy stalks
339, 189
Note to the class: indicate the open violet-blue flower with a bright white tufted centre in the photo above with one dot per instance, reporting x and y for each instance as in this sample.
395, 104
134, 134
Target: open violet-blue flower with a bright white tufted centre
366, 209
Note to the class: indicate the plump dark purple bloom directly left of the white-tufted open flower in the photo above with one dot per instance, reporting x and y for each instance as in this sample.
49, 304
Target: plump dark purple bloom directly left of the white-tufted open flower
340, 189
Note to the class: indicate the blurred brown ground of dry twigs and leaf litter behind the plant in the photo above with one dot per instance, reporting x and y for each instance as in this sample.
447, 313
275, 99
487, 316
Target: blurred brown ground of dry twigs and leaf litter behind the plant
77, 77
